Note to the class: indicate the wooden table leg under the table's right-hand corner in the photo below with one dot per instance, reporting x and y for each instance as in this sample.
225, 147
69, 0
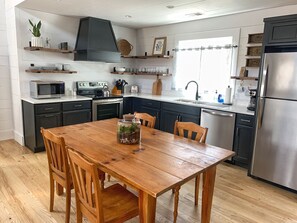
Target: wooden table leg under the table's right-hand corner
207, 193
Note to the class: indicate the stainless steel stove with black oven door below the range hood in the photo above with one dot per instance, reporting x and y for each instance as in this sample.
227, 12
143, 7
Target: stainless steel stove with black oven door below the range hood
104, 104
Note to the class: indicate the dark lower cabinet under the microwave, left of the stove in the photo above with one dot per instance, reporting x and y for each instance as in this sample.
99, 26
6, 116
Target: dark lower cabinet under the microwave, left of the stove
50, 115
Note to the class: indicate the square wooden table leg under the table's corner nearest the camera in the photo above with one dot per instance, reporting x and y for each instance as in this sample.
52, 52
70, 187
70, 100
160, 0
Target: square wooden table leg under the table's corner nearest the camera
147, 207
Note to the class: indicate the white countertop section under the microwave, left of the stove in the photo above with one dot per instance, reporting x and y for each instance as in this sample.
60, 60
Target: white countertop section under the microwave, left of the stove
55, 100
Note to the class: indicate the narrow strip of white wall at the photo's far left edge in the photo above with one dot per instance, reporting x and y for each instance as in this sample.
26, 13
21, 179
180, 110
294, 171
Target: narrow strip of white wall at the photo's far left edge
6, 123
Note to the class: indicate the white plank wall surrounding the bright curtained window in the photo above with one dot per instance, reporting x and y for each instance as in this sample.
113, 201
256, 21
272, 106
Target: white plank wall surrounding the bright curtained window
250, 22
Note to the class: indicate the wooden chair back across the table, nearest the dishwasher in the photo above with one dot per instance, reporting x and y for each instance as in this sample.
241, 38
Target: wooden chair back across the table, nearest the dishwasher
190, 130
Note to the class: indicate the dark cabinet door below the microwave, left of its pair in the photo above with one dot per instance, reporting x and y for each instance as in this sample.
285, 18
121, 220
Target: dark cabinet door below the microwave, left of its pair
46, 121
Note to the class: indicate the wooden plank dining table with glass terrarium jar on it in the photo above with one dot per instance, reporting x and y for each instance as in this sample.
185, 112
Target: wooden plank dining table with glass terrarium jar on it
161, 162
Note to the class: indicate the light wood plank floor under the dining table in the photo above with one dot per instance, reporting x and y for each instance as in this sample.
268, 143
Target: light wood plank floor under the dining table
24, 194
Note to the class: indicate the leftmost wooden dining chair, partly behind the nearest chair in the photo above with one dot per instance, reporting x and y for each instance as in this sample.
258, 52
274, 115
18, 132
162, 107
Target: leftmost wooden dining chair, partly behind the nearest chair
59, 170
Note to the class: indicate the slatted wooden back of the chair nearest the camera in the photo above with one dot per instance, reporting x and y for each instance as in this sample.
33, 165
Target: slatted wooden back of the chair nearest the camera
87, 185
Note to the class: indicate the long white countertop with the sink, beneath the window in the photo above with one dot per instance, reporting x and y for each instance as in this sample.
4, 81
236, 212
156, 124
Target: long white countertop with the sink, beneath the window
233, 108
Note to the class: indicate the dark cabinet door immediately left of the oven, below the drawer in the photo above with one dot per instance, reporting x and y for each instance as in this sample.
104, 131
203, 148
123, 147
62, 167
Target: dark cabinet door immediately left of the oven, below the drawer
76, 117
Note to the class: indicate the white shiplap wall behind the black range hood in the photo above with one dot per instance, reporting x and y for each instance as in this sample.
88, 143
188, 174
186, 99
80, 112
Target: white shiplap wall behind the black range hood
58, 29
